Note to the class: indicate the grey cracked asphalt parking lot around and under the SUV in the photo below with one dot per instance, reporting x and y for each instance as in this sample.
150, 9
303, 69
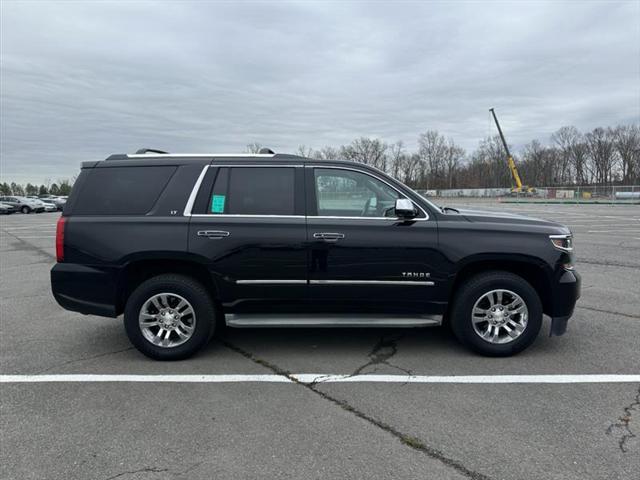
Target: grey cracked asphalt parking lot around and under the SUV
314, 428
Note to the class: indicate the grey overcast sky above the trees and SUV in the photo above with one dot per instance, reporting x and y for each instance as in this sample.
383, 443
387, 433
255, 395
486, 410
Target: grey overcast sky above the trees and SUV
82, 80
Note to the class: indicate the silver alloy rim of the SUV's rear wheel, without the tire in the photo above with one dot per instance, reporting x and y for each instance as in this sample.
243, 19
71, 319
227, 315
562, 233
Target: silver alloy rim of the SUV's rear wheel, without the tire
167, 320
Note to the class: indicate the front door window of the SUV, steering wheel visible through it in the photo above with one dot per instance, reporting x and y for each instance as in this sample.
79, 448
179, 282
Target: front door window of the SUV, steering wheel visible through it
345, 193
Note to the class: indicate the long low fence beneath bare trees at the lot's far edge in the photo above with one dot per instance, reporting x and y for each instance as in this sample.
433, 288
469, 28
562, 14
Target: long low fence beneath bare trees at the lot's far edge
572, 194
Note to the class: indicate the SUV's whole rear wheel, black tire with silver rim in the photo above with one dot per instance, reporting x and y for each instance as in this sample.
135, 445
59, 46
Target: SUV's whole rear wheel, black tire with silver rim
169, 291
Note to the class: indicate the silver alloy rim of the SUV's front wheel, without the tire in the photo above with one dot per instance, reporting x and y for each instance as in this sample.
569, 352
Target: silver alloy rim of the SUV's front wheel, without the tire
500, 316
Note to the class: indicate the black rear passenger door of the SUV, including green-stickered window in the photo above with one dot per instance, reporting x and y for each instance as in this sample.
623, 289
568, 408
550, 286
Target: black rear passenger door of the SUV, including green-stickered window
248, 226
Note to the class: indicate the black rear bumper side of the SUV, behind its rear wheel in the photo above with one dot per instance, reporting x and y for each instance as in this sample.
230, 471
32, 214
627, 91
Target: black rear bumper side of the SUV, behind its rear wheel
83, 289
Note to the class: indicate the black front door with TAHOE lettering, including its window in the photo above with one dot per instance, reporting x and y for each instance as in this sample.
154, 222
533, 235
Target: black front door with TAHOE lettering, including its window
361, 257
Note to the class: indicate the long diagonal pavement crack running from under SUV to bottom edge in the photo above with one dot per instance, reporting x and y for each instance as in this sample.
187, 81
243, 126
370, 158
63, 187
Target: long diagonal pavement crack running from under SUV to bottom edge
407, 440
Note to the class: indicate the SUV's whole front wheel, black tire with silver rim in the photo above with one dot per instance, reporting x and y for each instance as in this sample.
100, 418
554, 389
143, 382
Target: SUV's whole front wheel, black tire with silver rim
507, 330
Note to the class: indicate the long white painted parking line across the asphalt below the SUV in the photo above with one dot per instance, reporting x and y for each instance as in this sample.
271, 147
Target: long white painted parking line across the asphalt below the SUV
324, 378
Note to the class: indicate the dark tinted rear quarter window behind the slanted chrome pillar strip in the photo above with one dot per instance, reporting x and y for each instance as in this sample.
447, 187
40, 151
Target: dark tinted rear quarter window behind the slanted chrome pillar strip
122, 190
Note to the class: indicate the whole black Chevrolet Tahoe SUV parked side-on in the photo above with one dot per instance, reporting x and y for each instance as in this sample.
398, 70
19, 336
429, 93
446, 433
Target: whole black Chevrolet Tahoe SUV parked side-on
185, 244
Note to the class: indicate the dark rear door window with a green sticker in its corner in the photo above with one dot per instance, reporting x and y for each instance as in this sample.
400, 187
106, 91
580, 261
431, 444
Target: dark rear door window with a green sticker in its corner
253, 191
